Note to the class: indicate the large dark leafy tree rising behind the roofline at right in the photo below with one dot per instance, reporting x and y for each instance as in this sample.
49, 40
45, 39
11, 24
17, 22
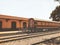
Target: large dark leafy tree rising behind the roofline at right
55, 15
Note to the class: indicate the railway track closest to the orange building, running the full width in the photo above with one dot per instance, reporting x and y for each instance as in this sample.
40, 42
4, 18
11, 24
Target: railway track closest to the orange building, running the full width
18, 35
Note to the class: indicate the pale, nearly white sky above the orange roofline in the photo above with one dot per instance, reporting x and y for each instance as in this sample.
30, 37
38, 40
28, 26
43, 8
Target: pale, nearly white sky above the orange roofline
40, 9
